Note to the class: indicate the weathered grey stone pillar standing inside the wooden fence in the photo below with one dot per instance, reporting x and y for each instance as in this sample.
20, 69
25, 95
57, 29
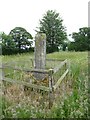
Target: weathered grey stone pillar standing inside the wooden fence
40, 52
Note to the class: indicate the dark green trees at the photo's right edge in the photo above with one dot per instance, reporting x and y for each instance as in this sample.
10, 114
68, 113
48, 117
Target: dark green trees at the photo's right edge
81, 40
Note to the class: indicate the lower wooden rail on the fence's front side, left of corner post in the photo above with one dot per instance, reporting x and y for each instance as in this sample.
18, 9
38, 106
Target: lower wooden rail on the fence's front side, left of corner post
26, 84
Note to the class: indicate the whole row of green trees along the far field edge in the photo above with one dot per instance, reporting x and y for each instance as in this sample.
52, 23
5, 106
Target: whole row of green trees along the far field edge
20, 40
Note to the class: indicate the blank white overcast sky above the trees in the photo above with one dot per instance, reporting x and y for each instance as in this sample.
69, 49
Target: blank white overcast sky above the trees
27, 13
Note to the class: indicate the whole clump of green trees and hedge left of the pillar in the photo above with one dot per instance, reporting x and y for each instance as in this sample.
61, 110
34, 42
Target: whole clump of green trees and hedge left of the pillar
18, 41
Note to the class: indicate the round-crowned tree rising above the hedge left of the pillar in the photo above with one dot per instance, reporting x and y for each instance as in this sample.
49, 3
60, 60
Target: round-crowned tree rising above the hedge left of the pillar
21, 37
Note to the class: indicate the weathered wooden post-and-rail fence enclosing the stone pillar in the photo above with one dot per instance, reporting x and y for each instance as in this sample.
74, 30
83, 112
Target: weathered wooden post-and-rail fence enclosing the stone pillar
52, 86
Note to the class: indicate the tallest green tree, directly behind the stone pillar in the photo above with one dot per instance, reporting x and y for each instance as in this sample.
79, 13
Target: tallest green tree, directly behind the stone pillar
51, 25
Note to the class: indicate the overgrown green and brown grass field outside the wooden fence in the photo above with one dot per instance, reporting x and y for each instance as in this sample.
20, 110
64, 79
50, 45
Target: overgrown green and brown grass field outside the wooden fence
70, 98
